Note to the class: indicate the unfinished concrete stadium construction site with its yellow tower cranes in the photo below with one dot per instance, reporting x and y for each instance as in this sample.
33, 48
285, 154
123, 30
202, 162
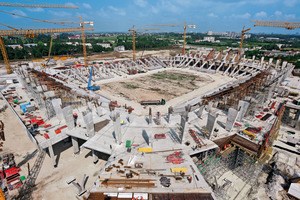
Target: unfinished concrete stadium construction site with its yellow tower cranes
198, 125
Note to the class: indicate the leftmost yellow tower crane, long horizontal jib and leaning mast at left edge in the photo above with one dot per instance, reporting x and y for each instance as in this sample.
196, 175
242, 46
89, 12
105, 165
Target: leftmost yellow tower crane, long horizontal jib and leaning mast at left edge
31, 33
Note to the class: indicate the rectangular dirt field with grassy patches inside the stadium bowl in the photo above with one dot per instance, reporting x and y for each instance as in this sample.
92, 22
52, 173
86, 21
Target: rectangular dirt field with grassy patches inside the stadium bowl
164, 85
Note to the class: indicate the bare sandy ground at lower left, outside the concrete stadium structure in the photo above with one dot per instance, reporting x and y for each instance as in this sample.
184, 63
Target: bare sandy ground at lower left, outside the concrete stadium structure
51, 182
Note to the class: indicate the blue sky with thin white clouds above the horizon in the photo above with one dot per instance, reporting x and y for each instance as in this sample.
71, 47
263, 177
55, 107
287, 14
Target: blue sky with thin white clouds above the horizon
120, 15
